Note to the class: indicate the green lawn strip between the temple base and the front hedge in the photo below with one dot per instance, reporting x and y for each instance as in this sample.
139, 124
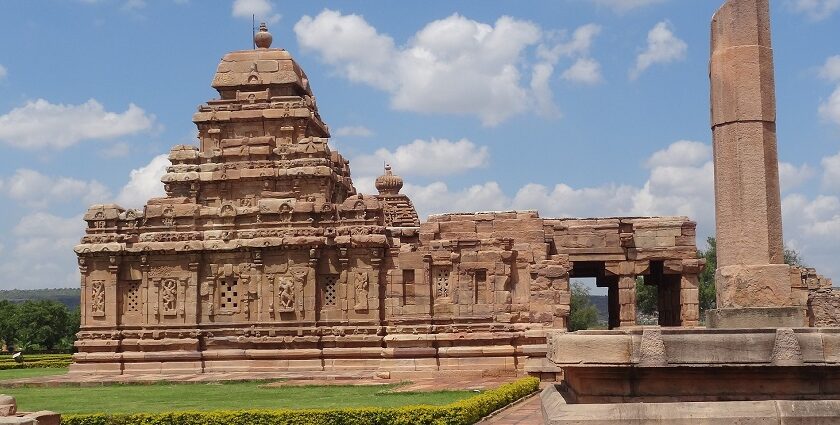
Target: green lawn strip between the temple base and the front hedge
135, 398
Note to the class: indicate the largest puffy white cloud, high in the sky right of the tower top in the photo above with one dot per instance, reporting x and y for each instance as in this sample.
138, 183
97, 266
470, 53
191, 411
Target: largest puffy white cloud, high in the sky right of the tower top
451, 66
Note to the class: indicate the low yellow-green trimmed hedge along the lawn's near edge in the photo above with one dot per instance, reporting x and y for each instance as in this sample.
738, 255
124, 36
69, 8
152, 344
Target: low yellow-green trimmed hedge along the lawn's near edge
462, 412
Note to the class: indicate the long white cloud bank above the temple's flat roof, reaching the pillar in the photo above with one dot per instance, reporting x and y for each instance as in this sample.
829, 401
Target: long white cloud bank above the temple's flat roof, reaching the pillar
681, 182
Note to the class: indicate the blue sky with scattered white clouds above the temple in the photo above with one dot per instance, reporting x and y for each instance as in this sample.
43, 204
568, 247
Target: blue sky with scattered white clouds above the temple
579, 108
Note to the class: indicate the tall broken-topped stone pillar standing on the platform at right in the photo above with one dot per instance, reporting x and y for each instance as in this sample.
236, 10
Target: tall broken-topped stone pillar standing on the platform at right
751, 279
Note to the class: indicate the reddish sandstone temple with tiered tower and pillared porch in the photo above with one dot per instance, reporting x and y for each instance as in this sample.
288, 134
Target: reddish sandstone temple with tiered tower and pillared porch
263, 257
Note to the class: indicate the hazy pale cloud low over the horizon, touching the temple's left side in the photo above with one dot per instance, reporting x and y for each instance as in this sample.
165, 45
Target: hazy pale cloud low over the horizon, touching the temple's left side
41, 255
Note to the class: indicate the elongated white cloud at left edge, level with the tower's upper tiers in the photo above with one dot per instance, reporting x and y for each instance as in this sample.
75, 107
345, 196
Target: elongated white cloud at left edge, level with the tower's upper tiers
40, 124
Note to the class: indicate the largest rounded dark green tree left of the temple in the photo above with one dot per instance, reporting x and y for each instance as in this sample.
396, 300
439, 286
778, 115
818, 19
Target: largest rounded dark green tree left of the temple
41, 324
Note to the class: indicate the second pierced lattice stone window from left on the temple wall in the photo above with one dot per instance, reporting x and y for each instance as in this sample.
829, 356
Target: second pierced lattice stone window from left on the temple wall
227, 290
